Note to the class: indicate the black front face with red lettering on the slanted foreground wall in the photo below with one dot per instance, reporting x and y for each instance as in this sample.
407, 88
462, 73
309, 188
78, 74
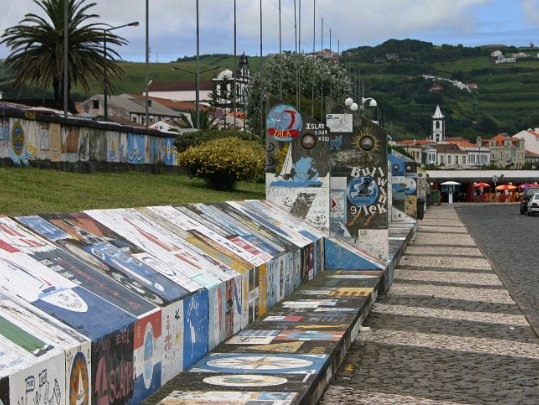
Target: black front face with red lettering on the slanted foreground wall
112, 368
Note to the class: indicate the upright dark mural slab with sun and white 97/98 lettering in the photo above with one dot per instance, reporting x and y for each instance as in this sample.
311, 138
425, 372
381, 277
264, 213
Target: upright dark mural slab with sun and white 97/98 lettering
359, 182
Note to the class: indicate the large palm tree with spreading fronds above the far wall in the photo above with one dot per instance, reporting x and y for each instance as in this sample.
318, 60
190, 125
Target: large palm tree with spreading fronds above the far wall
36, 44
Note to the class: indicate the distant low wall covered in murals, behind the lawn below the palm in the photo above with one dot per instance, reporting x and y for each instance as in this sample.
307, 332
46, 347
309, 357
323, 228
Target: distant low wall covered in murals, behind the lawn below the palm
30, 139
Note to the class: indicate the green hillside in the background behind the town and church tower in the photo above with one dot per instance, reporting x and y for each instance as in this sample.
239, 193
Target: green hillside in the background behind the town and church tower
506, 100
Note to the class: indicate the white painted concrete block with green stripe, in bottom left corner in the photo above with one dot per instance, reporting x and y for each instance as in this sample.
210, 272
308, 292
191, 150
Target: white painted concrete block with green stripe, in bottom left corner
41, 338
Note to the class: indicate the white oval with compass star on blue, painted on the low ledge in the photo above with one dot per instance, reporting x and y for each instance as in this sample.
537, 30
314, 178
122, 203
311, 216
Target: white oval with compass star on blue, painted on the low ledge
259, 363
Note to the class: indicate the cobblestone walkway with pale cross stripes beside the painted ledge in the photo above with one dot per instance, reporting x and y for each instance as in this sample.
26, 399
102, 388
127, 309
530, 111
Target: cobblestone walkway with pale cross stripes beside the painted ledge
448, 331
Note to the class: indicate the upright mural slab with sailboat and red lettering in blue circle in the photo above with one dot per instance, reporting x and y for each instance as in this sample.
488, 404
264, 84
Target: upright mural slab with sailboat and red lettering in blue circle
297, 172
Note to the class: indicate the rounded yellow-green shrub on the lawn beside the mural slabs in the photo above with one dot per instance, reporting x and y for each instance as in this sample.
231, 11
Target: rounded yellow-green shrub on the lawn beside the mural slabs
224, 162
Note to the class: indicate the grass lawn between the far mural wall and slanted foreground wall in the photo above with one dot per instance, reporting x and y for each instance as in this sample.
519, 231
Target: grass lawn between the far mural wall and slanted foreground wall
31, 191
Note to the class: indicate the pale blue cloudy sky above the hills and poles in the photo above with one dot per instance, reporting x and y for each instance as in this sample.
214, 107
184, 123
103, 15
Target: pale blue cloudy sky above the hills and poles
352, 22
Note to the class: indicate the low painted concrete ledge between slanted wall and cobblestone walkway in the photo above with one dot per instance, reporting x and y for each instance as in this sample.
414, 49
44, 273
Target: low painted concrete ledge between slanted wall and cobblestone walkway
290, 355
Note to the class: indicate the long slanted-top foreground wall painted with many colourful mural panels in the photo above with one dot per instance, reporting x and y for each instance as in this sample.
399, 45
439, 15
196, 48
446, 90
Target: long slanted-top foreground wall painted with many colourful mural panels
105, 306
